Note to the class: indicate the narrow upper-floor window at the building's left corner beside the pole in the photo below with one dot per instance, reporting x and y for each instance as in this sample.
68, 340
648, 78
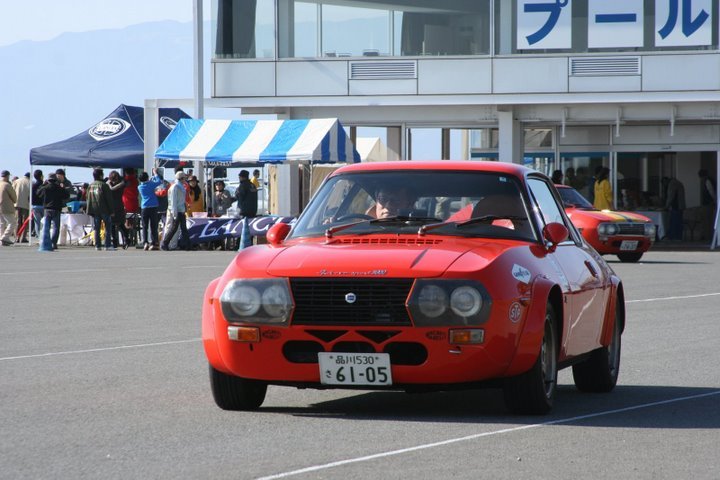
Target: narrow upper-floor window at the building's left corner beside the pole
244, 29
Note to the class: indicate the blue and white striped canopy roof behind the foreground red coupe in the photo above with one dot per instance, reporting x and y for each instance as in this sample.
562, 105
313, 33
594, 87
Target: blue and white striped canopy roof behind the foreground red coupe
264, 141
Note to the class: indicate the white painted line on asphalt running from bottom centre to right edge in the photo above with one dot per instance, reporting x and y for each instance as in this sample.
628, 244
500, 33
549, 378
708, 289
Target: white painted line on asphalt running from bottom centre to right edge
480, 435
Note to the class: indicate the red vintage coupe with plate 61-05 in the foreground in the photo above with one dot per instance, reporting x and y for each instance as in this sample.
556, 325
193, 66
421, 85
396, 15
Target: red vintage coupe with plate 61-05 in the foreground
418, 276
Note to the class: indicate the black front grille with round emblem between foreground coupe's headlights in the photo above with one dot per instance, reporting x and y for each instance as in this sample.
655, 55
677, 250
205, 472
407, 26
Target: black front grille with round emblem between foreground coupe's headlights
379, 301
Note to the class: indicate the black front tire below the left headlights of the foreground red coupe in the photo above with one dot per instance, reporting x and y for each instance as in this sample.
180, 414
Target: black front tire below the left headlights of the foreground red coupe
235, 393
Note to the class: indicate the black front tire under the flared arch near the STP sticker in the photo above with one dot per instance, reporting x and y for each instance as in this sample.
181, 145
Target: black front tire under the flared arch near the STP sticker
533, 392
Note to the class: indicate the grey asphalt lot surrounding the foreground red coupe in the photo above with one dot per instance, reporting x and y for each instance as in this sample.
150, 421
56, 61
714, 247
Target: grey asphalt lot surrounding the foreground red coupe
102, 375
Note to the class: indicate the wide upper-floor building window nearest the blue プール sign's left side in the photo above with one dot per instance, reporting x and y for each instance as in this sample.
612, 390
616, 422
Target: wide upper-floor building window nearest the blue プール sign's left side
374, 28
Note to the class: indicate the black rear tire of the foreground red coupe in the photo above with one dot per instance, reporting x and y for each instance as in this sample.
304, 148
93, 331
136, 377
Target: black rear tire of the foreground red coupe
599, 373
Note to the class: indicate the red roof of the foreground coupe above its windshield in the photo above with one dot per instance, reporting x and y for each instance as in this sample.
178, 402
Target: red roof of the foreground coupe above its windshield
438, 165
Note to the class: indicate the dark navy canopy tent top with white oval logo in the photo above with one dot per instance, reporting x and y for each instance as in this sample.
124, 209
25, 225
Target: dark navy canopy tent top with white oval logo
115, 142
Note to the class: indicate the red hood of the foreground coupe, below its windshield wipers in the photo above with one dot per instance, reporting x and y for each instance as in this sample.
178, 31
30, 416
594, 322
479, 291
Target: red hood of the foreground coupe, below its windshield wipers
391, 260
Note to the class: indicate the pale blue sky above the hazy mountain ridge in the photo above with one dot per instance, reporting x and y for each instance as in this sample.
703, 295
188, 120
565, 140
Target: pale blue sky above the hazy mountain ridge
46, 19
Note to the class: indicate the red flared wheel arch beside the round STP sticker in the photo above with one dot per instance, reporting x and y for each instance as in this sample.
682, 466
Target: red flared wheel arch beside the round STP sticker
528, 346
